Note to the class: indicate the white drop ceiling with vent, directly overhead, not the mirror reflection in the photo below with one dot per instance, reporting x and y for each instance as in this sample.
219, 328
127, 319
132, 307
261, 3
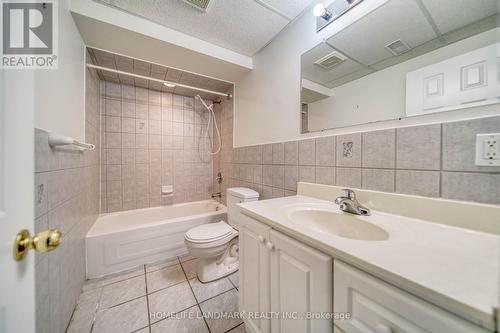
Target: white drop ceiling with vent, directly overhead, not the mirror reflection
243, 26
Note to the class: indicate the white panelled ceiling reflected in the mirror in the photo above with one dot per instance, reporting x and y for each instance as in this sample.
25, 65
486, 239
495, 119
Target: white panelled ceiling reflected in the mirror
424, 25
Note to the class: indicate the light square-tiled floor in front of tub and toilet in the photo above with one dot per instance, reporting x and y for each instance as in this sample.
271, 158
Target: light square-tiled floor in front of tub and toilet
163, 297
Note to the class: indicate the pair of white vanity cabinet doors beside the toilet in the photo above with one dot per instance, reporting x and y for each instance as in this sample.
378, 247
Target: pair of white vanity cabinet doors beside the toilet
282, 276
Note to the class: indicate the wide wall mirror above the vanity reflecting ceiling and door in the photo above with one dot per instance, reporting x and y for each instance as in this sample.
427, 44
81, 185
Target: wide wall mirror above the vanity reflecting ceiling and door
405, 58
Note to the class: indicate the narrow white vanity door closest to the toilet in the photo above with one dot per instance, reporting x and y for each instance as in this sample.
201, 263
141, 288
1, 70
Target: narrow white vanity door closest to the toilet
254, 273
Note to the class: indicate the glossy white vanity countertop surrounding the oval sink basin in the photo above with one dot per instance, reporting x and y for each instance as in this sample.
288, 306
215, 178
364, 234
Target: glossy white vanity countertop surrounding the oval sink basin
454, 268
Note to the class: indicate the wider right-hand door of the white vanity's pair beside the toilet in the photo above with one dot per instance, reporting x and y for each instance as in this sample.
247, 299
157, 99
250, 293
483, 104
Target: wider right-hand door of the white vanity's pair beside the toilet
301, 282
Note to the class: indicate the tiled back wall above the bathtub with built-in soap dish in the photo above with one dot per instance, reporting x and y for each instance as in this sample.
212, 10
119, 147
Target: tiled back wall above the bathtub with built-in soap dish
152, 139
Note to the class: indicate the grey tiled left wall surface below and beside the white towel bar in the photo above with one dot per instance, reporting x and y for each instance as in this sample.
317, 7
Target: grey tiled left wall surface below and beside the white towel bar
66, 198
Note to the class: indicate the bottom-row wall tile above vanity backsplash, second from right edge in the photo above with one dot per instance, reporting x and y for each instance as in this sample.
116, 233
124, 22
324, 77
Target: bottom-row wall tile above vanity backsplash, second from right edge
425, 183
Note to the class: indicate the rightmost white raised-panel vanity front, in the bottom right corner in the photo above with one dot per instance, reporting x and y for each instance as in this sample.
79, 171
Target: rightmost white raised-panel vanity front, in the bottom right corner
379, 307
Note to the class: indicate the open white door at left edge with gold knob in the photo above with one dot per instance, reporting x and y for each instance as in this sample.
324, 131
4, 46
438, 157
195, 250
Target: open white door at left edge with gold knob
17, 282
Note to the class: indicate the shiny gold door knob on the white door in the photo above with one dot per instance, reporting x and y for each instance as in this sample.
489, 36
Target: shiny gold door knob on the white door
44, 241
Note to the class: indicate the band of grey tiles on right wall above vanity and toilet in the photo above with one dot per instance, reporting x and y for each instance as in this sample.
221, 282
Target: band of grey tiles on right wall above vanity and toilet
431, 160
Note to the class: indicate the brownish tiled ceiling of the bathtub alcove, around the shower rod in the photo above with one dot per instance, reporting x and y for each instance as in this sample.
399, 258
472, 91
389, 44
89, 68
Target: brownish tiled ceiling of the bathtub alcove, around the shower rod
135, 66
